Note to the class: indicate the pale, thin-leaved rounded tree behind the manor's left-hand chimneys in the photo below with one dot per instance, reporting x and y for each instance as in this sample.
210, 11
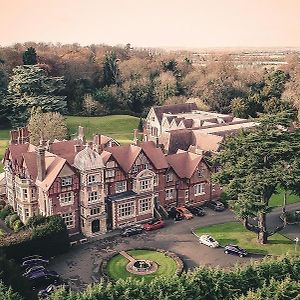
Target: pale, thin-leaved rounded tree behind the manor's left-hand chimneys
48, 126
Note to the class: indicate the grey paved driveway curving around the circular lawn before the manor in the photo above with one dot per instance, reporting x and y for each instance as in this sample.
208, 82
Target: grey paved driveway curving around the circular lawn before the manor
81, 264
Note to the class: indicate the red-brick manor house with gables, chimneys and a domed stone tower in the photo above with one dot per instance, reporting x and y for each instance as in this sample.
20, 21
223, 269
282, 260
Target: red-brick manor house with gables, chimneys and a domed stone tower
101, 185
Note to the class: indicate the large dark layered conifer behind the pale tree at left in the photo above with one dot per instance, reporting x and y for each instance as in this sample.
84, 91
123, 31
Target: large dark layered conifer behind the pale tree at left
30, 86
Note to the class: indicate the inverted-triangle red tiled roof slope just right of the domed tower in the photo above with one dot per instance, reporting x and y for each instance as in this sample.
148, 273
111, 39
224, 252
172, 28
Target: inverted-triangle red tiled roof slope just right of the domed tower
125, 155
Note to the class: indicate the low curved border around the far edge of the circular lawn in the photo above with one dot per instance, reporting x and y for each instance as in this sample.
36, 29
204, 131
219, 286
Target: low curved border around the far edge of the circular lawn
103, 267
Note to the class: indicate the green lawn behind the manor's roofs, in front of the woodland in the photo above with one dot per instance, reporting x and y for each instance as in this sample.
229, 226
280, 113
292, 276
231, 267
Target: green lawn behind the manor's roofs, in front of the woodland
119, 127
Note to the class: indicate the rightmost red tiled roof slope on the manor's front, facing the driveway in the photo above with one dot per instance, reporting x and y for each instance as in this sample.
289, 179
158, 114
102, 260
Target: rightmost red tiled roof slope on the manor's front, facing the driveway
184, 163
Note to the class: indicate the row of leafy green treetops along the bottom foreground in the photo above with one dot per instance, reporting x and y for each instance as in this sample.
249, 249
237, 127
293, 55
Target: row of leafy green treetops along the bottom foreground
268, 279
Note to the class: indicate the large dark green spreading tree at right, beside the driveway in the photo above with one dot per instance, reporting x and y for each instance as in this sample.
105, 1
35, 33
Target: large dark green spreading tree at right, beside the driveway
254, 163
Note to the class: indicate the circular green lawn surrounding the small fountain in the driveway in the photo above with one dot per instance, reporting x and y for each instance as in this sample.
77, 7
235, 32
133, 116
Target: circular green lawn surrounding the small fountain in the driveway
116, 267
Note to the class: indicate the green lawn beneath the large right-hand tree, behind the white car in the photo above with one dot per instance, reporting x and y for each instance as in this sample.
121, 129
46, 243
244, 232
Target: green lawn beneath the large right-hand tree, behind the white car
235, 233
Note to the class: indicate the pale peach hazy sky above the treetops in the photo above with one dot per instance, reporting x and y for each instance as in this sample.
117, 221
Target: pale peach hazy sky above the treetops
153, 23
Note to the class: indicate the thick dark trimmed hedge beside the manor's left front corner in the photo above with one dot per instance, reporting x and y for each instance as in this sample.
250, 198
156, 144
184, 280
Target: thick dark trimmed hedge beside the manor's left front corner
47, 239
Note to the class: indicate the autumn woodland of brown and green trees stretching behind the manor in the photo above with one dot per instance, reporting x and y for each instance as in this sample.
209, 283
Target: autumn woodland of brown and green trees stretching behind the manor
101, 79
